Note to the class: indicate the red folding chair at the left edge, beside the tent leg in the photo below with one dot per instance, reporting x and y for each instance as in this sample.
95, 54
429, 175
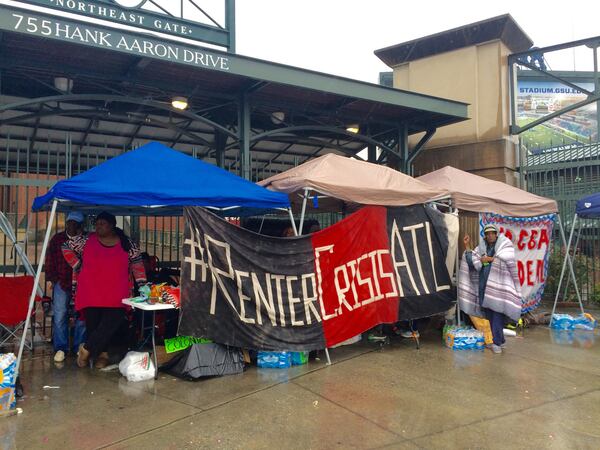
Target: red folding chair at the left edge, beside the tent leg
14, 304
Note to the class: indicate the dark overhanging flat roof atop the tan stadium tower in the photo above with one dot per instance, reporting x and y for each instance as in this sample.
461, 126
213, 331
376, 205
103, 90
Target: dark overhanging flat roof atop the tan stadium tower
501, 27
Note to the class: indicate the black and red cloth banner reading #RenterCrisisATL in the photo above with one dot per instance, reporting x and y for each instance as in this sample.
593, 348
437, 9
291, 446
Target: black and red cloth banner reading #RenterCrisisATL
376, 266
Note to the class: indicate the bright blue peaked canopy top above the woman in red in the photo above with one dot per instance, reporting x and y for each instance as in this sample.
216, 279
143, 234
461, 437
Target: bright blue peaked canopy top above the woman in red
156, 180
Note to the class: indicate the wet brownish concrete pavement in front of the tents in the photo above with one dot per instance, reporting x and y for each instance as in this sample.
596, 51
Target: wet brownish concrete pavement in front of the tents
542, 392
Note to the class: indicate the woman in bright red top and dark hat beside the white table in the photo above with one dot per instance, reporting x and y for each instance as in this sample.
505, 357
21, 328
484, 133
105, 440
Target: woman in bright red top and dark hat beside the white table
104, 263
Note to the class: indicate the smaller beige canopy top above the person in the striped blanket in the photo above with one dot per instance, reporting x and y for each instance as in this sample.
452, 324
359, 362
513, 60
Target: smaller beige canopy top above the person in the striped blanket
478, 194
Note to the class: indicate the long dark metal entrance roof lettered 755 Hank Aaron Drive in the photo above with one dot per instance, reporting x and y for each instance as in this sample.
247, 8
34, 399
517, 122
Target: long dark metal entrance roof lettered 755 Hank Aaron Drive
121, 99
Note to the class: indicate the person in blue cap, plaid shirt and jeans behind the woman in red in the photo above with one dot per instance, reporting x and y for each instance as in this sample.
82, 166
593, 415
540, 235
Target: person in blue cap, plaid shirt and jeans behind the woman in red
59, 273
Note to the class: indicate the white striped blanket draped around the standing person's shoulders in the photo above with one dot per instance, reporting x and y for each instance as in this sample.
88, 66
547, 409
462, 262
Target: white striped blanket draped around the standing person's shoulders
502, 291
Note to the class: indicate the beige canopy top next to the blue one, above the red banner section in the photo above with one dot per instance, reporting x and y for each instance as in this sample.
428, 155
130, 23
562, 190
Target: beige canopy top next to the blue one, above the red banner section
355, 182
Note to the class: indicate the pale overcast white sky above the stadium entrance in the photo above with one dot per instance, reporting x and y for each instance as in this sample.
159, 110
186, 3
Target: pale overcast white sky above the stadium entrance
339, 36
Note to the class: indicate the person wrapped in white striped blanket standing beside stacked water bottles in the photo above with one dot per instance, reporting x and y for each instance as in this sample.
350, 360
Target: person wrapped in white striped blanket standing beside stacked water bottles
494, 251
